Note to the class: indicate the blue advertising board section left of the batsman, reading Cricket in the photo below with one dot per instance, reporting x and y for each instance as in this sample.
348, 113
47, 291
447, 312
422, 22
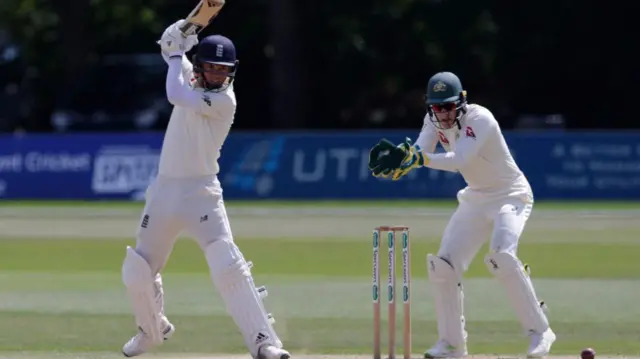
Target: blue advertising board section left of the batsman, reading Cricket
74, 166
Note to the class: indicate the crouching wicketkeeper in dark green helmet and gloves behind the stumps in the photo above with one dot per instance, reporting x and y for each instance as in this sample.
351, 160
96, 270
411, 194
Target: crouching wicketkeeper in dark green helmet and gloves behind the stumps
494, 205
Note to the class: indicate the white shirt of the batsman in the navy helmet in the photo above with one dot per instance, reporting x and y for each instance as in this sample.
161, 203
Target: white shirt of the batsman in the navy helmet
199, 124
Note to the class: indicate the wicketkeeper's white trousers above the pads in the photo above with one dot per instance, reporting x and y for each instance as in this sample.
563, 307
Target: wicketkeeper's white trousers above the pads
502, 221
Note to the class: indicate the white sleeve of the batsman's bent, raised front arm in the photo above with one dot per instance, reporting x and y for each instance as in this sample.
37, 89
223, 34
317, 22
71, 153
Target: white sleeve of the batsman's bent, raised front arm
179, 93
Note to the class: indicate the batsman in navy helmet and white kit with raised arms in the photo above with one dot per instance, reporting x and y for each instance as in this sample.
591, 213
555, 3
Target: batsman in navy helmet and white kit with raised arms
187, 196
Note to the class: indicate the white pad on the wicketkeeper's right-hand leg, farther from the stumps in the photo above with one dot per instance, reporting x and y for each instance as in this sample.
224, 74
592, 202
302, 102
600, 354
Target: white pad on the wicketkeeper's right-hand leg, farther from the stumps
512, 274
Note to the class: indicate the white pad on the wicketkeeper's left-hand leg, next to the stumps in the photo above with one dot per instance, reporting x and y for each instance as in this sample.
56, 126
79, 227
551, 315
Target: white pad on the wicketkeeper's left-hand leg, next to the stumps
449, 300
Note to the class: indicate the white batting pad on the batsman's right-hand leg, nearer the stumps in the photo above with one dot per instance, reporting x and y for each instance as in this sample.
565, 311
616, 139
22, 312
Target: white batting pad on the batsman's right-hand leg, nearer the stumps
231, 275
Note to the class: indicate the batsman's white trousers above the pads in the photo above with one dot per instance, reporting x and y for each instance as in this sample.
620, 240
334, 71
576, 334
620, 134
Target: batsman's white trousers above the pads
173, 206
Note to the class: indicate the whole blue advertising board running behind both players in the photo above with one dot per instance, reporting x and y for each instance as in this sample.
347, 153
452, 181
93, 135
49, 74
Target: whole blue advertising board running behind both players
307, 166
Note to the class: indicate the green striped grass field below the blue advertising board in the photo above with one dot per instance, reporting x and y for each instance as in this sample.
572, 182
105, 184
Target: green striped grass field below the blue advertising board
61, 294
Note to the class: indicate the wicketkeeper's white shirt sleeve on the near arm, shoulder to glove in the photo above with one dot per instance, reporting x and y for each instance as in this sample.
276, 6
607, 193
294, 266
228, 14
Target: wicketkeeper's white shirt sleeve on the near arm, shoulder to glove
473, 135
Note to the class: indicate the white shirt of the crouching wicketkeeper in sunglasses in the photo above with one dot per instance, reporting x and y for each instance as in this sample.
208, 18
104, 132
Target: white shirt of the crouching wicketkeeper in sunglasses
479, 152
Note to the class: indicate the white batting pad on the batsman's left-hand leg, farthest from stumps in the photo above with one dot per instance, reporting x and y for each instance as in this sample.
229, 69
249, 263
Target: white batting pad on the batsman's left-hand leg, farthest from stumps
137, 277
